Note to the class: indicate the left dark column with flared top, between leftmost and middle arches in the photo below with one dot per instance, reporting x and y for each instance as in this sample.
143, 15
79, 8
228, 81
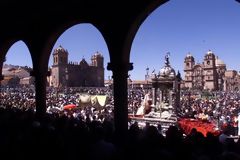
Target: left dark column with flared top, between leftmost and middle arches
40, 47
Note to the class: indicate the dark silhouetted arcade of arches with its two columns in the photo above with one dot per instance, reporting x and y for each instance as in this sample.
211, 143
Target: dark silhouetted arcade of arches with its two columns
40, 29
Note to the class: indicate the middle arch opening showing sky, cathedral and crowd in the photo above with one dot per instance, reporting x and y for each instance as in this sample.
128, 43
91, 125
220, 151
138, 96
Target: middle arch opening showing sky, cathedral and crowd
78, 70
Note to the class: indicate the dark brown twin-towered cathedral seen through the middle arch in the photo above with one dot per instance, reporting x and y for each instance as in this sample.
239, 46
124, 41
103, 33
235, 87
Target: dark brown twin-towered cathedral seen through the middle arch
73, 74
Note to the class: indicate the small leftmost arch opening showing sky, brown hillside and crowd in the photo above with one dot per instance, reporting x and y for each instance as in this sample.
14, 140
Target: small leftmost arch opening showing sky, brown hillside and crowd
17, 87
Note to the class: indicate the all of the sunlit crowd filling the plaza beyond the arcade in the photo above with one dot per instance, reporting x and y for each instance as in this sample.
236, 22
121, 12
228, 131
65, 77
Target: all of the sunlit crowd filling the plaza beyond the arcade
222, 108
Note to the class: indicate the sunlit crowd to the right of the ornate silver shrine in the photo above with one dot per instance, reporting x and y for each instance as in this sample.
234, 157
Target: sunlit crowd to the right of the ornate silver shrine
222, 108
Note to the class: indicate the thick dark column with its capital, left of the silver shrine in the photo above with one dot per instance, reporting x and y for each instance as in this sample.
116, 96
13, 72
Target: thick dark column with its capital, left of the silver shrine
120, 76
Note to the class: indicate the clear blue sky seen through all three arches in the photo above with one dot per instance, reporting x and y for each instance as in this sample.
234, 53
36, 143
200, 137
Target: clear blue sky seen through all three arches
178, 27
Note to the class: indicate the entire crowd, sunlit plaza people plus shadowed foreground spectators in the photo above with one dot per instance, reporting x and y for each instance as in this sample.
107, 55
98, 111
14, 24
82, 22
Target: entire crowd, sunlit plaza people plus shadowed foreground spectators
88, 132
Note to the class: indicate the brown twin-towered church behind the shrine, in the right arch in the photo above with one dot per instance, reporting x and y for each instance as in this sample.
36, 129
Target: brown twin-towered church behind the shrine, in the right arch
206, 75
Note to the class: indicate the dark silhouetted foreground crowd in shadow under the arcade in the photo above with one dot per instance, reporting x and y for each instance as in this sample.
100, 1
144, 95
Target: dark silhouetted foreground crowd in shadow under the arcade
56, 136
